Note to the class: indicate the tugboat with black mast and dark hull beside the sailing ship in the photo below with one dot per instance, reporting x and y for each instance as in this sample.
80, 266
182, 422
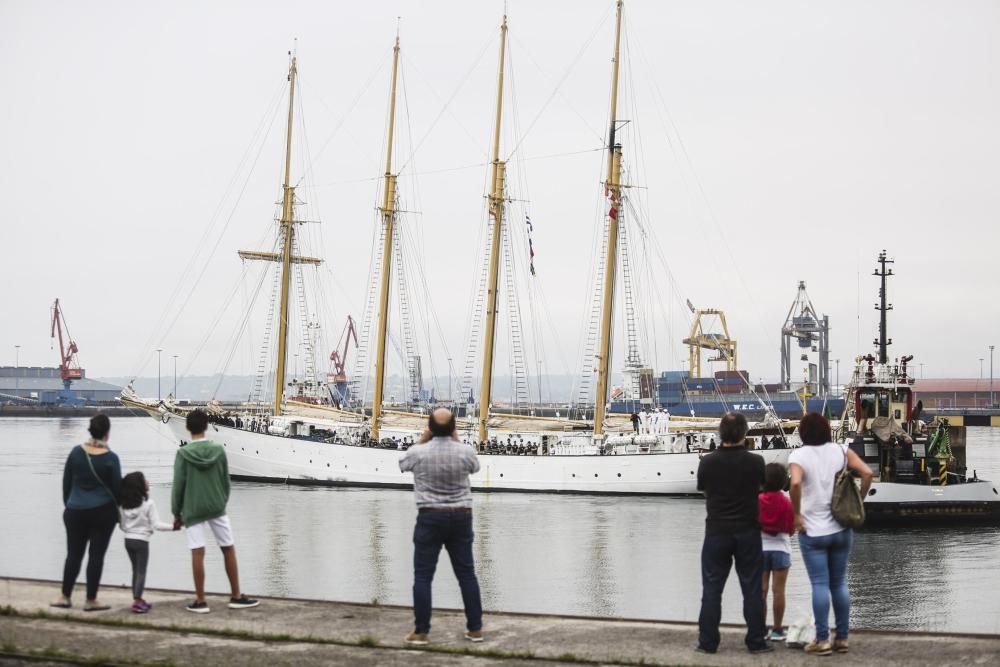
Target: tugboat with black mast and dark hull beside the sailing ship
920, 467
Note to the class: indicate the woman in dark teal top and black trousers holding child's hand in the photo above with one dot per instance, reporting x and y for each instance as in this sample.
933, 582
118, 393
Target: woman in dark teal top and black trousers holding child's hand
92, 479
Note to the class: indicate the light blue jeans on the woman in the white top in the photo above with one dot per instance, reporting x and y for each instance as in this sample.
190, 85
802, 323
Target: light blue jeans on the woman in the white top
826, 562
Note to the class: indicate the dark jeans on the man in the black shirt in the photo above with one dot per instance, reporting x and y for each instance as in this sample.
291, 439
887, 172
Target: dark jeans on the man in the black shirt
717, 555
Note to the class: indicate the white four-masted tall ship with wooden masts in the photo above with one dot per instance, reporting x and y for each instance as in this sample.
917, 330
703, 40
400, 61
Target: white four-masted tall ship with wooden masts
293, 438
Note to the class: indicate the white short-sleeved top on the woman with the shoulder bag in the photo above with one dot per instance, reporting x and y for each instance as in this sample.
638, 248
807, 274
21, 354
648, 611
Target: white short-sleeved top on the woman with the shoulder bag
820, 465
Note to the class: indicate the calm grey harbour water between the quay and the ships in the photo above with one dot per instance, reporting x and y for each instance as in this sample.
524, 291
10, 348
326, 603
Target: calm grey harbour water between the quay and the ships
632, 557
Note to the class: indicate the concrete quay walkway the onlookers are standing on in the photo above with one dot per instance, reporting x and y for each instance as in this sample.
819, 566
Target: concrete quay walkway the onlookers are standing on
299, 632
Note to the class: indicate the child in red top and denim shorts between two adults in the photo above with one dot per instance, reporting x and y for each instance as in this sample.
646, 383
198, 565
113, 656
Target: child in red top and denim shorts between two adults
777, 523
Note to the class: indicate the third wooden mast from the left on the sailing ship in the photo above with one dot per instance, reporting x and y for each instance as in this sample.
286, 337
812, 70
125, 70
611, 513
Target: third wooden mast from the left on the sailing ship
497, 175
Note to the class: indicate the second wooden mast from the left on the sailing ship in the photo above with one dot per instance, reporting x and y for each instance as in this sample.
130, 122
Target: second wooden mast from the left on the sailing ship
388, 229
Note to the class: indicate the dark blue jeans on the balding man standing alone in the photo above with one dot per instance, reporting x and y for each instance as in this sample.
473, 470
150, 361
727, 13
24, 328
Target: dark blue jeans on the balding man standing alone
453, 531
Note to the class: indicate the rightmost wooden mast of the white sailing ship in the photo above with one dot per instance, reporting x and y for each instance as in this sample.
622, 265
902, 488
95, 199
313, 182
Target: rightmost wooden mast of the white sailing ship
613, 190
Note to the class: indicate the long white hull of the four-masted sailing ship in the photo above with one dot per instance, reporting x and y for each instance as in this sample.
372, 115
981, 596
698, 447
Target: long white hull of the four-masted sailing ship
275, 458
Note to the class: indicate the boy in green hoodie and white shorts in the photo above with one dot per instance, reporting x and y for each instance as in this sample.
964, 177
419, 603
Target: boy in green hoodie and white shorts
198, 500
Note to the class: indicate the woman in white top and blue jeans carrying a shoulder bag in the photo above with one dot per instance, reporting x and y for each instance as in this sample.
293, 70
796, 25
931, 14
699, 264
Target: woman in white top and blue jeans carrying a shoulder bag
824, 543
